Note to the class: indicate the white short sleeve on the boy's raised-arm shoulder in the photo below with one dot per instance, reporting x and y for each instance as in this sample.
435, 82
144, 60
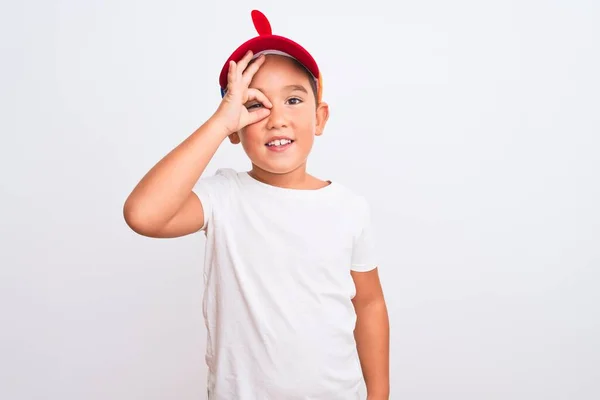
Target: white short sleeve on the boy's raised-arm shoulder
213, 190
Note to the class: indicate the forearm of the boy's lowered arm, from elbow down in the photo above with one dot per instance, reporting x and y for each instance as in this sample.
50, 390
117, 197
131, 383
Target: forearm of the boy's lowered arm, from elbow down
372, 340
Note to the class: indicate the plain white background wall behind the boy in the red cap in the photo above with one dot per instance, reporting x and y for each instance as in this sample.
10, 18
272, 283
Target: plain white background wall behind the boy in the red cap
471, 126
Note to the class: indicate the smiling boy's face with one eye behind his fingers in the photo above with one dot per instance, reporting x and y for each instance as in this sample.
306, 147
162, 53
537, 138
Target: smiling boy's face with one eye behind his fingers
294, 116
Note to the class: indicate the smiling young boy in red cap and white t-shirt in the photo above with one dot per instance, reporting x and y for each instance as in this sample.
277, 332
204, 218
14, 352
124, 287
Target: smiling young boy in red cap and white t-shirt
293, 304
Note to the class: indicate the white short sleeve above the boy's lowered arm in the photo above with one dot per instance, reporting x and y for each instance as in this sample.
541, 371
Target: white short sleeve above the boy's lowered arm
364, 247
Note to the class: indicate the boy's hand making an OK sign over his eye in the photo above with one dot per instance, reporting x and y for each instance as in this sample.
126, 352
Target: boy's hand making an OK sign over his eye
232, 111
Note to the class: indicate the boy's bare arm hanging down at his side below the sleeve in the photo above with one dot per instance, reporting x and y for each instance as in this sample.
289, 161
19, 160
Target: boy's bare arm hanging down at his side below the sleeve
372, 333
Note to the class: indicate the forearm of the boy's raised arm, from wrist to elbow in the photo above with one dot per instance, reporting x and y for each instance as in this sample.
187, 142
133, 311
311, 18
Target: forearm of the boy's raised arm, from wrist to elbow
163, 190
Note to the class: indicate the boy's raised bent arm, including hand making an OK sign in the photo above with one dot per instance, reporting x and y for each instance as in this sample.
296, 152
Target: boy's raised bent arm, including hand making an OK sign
163, 203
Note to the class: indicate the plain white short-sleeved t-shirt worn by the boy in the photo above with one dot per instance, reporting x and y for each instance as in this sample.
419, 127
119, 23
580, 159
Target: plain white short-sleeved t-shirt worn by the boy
278, 290
